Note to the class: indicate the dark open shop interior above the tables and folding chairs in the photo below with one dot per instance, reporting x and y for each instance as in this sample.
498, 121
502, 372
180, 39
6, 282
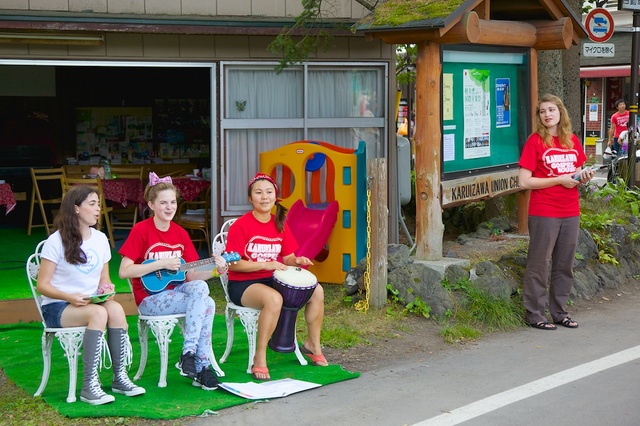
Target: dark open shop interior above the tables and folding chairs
58, 115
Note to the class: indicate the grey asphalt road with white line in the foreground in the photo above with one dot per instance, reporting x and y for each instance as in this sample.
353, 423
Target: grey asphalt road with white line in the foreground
585, 376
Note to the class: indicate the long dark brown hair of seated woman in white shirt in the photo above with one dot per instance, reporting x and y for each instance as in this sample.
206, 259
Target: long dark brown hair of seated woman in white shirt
68, 224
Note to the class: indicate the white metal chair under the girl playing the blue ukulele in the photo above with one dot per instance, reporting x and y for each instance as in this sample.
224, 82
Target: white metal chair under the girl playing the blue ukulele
162, 327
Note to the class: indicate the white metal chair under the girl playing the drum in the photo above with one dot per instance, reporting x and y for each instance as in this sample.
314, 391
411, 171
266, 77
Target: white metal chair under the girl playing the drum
248, 316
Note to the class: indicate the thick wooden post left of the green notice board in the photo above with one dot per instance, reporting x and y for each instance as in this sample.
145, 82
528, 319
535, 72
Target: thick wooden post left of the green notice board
427, 140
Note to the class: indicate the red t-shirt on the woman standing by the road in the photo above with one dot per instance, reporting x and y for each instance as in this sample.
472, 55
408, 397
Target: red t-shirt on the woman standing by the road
545, 162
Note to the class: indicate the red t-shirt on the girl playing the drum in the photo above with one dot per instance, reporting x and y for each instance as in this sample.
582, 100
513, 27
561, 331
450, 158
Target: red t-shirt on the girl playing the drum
258, 242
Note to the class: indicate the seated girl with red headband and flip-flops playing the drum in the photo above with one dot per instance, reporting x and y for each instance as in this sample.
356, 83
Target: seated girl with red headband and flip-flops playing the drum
261, 239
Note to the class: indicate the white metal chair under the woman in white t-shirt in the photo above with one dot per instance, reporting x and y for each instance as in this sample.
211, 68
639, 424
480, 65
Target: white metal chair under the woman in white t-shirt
70, 338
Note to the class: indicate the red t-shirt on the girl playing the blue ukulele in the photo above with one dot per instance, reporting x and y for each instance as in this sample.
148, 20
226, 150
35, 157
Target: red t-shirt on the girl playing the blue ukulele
145, 241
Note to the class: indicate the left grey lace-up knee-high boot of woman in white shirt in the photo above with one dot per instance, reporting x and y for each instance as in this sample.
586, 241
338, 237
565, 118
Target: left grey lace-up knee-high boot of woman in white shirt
92, 392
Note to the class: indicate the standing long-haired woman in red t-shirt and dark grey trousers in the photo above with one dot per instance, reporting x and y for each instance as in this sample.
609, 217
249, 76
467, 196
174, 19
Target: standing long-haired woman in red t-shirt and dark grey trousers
550, 159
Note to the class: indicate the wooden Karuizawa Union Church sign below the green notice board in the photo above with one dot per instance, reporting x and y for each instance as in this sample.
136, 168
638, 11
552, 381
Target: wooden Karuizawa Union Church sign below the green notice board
465, 190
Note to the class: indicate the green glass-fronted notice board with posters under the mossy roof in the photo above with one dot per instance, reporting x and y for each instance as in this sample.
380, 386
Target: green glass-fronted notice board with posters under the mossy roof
485, 109
